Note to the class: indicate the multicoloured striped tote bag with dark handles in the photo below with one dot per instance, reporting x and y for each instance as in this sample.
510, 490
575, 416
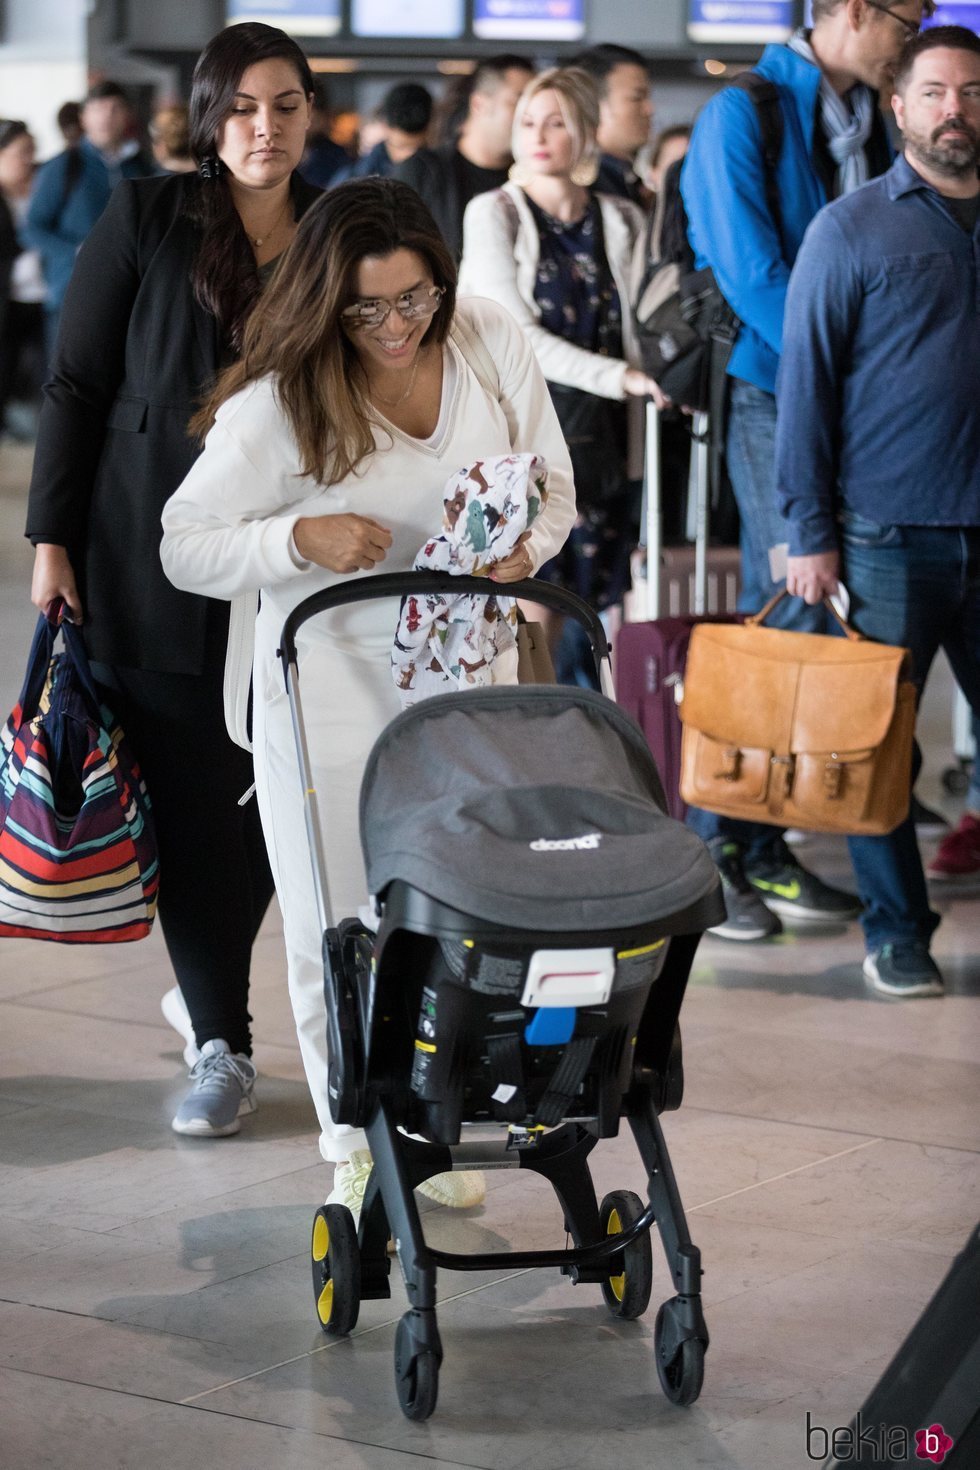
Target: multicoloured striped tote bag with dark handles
79, 861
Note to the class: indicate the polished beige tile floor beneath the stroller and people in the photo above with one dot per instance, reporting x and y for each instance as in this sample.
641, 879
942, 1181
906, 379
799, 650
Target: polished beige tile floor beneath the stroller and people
155, 1293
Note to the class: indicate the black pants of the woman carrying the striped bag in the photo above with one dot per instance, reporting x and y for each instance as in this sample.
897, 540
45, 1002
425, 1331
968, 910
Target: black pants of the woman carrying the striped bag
215, 878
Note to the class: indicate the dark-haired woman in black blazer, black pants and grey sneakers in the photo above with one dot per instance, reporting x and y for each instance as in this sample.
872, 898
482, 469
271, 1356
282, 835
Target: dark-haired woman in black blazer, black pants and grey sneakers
156, 305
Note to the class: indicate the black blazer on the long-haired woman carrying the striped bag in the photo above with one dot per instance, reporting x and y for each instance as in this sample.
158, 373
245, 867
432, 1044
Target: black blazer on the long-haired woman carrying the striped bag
134, 356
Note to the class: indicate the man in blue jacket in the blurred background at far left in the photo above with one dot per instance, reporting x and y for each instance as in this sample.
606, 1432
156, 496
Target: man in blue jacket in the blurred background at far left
73, 190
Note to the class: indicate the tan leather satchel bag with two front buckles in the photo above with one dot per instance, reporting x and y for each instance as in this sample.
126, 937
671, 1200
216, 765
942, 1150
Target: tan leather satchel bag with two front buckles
799, 730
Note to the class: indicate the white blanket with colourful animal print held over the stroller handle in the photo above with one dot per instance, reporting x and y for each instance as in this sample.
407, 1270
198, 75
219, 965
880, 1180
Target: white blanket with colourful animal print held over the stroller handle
450, 643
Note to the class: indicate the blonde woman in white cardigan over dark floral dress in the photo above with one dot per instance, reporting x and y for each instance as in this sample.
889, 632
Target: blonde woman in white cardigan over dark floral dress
566, 264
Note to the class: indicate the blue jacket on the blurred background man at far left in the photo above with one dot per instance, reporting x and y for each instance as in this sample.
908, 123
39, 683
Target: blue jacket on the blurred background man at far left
57, 226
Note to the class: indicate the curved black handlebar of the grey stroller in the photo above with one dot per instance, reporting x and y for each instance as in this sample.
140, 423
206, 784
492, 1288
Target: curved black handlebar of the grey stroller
403, 584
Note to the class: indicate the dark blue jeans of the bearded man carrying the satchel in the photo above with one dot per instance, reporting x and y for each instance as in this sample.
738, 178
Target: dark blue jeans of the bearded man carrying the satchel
918, 587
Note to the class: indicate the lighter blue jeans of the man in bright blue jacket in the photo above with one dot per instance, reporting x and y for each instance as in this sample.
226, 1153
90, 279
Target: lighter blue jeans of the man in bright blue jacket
752, 464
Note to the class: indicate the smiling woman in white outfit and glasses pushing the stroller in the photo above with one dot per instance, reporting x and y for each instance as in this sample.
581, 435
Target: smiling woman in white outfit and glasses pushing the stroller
364, 386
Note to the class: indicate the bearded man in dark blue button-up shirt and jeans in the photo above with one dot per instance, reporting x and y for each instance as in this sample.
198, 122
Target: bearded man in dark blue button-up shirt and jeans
878, 442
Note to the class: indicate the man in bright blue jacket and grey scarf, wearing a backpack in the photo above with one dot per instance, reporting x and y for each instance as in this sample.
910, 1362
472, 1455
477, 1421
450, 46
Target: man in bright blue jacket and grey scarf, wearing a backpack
834, 140
